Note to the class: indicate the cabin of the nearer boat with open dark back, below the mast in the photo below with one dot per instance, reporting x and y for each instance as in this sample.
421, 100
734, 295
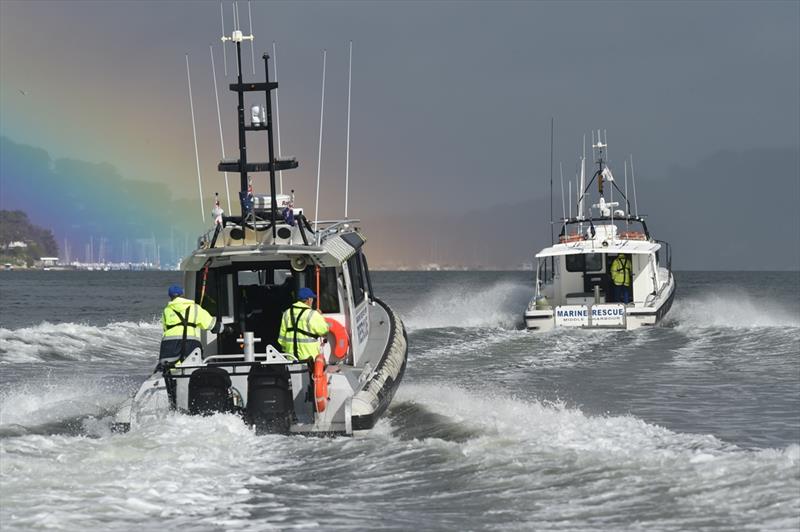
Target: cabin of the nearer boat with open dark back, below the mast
248, 288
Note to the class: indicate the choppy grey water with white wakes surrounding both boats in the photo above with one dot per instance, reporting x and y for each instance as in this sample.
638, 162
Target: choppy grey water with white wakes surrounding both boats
692, 425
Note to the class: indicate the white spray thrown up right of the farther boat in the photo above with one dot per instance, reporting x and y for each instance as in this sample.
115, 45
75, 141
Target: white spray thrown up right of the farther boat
733, 309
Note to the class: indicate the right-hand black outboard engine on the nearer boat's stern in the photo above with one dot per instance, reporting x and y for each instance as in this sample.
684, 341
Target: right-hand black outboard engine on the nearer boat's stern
270, 407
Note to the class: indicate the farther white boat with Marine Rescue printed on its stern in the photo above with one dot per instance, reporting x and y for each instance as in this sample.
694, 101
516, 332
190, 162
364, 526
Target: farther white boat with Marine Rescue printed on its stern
576, 276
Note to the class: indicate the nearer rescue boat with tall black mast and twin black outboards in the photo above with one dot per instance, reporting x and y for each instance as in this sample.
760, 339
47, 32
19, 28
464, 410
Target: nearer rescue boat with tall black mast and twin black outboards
246, 271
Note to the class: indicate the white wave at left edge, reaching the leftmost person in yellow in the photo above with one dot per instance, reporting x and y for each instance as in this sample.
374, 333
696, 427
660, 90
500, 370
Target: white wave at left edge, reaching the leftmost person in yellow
49, 342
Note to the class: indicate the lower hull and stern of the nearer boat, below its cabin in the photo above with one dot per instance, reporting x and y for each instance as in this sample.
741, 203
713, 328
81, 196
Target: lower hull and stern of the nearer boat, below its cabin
357, 397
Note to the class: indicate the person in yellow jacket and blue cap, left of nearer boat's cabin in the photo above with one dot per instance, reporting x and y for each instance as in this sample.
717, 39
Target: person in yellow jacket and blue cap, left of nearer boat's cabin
182, 320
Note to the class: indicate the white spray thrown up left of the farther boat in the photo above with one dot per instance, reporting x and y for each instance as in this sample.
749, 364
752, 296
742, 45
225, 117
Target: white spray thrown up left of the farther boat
497, 305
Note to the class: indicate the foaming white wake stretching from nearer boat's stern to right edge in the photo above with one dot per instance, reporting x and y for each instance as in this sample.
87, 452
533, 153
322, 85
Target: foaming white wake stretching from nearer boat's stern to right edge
501, 421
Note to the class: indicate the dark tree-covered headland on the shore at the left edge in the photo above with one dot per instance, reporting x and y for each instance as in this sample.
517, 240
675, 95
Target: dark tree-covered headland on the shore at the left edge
14, 228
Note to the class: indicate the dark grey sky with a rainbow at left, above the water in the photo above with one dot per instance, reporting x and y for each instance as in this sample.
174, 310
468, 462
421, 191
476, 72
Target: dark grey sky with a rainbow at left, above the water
450, 127
